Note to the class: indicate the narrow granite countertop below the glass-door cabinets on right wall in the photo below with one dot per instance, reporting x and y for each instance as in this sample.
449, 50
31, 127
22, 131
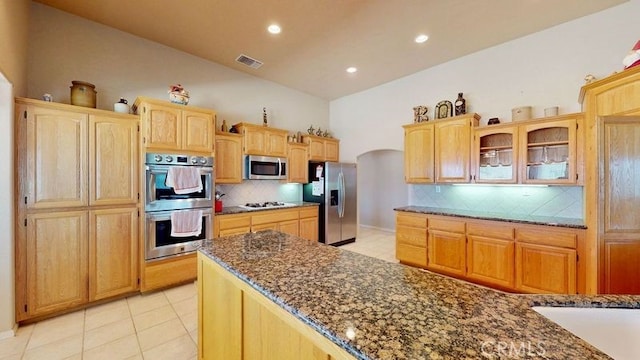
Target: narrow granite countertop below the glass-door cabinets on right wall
497, 216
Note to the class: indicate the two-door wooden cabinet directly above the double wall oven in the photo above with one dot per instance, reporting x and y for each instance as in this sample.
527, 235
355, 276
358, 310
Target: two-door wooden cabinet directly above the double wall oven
170, 126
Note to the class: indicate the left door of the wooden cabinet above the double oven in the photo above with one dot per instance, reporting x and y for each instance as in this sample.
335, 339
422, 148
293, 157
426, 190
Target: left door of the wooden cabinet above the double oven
163, 127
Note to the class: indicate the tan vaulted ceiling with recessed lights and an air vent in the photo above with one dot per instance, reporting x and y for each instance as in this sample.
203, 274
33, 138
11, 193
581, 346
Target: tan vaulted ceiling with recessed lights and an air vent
321, 38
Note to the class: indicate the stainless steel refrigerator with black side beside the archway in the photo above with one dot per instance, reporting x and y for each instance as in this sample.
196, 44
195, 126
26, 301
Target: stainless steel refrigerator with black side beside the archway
333, 186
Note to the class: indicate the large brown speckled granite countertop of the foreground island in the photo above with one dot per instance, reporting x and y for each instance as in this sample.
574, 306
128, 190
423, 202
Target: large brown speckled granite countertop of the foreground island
380, 310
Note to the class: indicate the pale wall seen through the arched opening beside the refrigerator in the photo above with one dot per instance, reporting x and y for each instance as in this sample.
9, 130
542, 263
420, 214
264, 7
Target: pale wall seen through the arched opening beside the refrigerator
381, 188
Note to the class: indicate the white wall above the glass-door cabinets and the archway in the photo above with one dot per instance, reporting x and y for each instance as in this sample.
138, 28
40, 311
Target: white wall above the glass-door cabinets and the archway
541, 70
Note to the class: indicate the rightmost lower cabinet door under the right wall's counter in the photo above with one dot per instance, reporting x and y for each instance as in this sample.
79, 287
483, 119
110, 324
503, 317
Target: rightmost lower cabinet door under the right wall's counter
545, 269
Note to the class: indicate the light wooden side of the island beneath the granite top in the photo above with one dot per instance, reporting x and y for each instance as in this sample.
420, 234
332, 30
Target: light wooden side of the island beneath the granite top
237, 322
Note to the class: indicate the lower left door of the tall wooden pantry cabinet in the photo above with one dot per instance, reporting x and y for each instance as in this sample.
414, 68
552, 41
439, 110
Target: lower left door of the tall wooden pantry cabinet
57, 270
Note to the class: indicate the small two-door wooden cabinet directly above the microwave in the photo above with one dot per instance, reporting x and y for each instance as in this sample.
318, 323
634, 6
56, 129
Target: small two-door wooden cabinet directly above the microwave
262, 140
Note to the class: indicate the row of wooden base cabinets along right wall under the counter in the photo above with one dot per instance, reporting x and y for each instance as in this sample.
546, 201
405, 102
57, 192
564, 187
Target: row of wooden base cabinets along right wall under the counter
522, 258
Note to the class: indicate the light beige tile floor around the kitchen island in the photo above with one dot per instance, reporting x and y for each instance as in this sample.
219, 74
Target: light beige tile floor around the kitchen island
160, 325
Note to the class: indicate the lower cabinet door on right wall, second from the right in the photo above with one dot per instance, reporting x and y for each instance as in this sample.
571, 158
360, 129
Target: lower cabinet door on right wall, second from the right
491, 260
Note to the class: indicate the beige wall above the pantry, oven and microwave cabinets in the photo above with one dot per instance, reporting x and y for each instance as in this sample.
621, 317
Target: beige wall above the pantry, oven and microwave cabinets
64, 47
